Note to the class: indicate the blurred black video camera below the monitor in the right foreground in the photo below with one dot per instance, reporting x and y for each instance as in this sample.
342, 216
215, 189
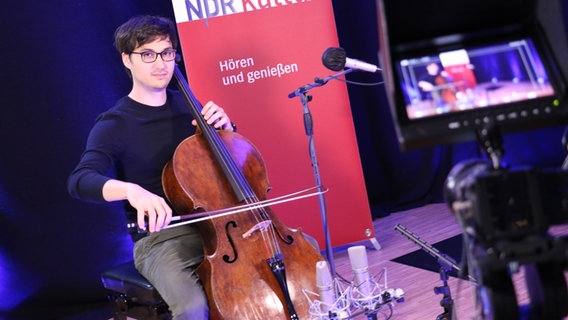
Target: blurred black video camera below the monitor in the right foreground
500, 204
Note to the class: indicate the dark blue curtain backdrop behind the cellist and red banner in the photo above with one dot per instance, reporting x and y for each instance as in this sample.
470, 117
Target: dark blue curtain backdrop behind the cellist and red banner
59, 71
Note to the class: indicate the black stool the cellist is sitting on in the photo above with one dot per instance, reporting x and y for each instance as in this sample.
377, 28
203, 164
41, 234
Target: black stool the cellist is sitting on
132, 295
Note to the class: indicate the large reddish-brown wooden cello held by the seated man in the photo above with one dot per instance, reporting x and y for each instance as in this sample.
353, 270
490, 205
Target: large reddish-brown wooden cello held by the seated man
254, 266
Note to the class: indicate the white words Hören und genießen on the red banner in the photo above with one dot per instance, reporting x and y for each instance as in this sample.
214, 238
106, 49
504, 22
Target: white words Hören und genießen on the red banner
234, 64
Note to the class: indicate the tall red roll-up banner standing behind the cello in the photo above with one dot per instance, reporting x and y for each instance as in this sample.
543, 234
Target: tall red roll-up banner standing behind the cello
248, 56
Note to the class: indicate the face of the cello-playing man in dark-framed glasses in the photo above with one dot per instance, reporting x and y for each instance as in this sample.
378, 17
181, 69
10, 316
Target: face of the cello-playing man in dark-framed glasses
153, 76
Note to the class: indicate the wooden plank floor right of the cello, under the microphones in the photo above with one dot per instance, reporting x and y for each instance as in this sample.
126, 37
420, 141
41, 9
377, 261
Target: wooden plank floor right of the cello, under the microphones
432, 223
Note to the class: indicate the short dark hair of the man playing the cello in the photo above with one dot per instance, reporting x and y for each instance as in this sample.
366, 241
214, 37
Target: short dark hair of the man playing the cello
143, 29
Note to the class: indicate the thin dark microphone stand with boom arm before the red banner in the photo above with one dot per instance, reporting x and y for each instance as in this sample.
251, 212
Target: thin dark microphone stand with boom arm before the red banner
302, 92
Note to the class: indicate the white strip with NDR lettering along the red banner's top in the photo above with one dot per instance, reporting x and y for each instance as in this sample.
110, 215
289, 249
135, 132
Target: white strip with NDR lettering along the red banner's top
190, 10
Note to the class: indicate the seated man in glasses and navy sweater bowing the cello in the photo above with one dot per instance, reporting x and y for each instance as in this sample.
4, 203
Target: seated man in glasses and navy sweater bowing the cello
126, 151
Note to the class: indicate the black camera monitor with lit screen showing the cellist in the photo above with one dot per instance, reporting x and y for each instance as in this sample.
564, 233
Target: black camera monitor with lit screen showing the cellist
444, 87
